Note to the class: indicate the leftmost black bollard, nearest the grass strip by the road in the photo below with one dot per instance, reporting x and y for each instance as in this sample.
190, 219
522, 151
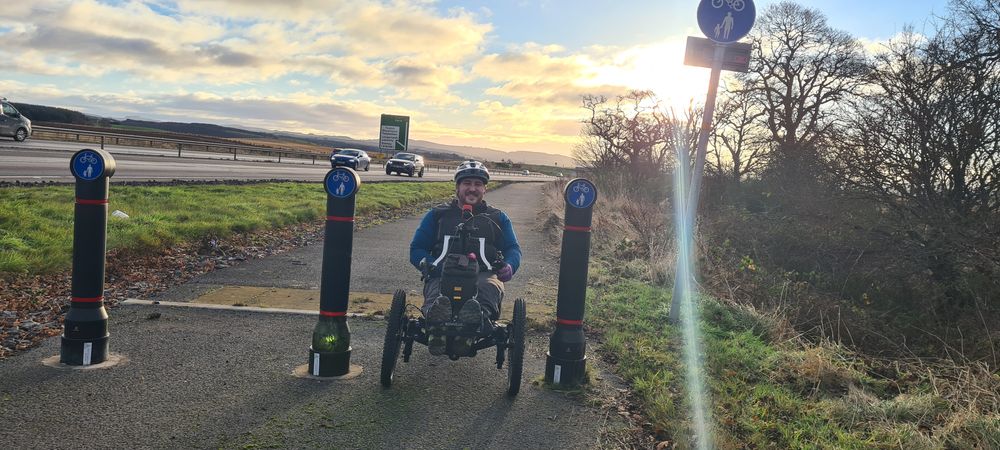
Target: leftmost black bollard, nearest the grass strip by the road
85, 328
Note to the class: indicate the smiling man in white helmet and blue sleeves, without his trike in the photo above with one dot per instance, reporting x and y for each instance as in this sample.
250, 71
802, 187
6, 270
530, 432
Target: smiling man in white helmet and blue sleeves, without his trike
497, 233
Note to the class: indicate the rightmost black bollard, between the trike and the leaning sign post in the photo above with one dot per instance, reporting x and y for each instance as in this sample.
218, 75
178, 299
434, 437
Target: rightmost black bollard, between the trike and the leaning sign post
566, 361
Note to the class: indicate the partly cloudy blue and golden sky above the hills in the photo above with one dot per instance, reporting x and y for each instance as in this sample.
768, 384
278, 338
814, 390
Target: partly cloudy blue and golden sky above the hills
507, 75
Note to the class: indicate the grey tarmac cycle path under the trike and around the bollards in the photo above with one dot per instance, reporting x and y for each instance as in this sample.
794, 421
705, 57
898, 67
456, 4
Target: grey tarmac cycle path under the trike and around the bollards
208, 378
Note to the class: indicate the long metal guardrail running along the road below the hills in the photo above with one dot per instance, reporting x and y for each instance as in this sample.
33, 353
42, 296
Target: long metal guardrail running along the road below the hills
109, 138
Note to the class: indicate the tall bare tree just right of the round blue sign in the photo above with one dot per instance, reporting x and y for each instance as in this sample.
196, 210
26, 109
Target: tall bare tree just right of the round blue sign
800, 70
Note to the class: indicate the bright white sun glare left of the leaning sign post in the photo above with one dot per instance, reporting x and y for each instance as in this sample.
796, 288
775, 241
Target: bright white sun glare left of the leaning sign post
659, 68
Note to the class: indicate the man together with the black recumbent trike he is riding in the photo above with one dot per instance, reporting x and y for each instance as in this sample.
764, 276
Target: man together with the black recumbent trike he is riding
460, 249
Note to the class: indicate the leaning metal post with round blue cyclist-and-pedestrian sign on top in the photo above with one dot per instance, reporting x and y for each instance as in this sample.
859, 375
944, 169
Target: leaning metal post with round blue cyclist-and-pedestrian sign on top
725, 22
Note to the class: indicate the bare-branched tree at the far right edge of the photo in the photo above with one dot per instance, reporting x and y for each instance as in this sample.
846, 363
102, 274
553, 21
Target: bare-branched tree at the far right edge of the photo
925, 144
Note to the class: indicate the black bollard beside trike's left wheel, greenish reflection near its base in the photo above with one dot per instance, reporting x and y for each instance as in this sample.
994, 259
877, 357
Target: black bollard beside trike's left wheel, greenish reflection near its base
330, 353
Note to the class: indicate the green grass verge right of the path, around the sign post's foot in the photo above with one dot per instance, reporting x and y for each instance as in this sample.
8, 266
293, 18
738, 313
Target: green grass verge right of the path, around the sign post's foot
771, 392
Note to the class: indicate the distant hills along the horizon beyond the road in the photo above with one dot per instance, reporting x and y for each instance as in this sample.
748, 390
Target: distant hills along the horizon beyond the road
428, 149
